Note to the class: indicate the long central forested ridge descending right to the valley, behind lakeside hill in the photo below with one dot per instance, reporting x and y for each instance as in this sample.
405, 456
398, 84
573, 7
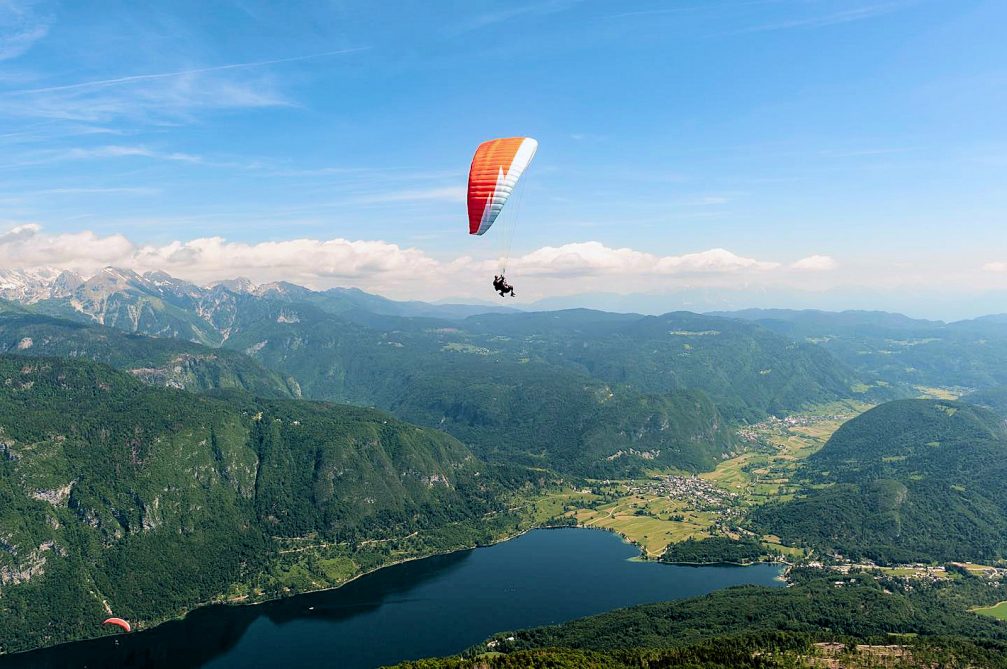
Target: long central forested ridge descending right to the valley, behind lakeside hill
506, 407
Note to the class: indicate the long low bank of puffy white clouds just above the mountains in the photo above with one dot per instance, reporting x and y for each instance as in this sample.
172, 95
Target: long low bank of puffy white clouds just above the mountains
385, 267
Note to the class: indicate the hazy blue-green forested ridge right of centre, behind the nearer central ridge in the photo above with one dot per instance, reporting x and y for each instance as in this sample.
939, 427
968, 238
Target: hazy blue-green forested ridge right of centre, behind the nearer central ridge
749, 371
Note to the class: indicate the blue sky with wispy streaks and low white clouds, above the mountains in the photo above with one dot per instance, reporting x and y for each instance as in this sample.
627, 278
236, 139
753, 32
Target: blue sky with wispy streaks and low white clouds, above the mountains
853, 147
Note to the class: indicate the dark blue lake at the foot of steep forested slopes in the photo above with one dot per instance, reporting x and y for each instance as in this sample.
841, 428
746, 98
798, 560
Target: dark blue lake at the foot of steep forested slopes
438, 606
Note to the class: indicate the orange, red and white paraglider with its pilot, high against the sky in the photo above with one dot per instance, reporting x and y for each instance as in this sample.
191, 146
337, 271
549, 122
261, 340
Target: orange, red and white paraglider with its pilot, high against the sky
497, 167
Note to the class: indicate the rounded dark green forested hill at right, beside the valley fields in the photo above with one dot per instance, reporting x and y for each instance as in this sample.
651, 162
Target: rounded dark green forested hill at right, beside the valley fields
913, 480
